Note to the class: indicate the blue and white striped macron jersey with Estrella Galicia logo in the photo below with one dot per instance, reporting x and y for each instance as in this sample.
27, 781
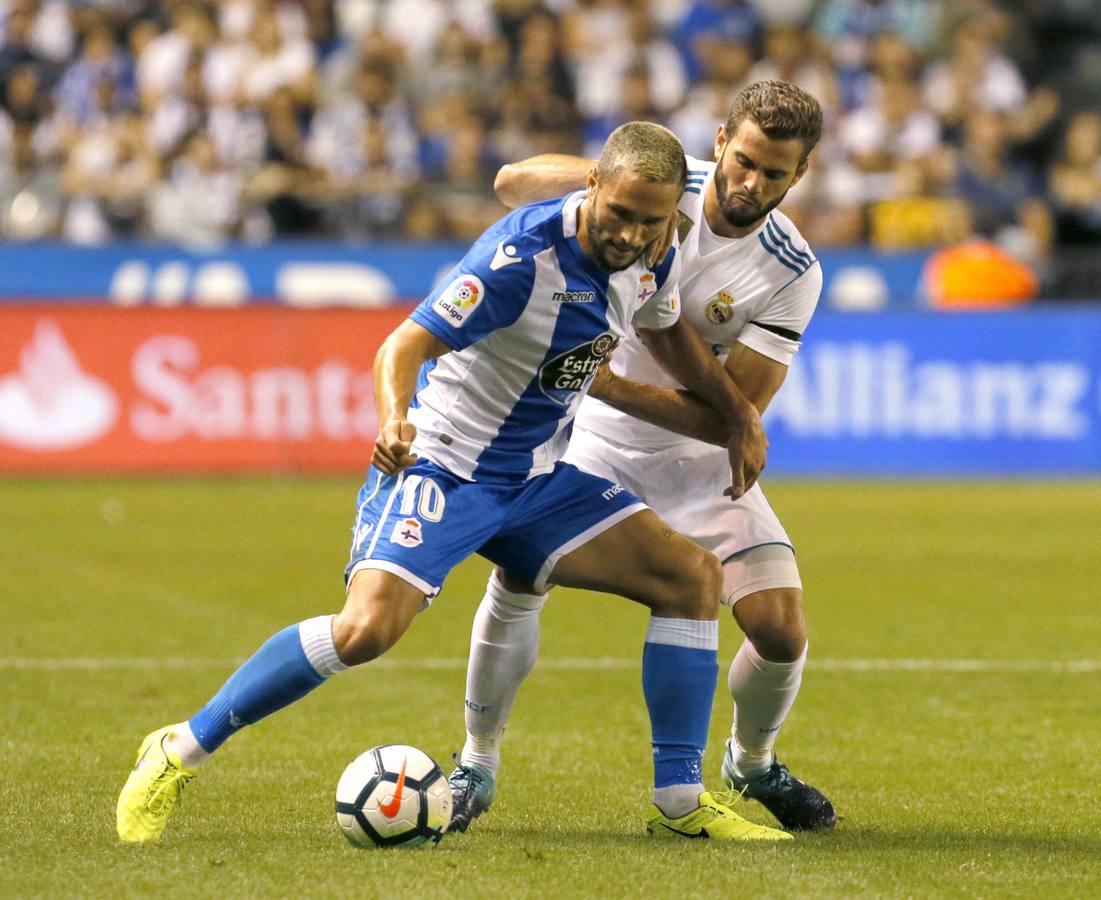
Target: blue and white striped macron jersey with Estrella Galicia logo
529, 319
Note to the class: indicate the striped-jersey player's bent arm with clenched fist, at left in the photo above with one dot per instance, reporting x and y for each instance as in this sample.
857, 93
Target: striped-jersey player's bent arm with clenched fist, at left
397, 368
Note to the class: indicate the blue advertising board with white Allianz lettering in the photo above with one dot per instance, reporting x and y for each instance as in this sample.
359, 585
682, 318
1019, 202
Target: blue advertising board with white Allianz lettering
946, 395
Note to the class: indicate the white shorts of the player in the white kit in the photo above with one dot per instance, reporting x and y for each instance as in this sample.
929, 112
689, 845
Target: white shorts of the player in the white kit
684, 486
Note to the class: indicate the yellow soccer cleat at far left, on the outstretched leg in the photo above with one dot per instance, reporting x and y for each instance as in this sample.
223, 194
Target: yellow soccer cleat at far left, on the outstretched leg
152, 791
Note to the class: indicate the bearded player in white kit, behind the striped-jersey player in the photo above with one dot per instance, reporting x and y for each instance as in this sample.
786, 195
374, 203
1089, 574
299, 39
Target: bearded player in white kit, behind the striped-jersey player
749, 286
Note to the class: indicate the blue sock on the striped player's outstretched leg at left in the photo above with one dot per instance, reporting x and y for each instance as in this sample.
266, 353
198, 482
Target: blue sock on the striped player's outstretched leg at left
275, 677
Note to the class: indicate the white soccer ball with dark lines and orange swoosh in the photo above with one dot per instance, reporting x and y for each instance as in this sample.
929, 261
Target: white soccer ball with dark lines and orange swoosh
394, 796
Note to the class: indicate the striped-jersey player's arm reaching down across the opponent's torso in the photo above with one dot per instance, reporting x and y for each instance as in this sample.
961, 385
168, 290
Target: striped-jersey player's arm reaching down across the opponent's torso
681, 353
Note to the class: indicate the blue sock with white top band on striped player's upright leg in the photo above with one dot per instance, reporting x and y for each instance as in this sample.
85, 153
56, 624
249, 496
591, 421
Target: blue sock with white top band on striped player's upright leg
680, 670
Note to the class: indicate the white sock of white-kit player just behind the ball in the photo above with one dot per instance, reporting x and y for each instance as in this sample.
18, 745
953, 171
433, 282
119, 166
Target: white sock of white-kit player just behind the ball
505, 643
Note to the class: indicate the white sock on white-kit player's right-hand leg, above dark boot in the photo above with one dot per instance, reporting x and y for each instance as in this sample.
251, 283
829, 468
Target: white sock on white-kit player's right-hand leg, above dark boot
764, 696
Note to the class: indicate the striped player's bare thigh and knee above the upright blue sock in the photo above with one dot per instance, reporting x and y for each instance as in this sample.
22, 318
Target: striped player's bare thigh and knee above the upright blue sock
645, 560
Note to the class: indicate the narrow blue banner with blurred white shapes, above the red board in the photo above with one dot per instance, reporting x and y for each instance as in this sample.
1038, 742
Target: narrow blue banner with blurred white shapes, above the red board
319, 274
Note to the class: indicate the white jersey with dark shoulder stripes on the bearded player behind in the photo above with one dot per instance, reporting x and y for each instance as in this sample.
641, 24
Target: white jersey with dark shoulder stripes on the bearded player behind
759, 290
